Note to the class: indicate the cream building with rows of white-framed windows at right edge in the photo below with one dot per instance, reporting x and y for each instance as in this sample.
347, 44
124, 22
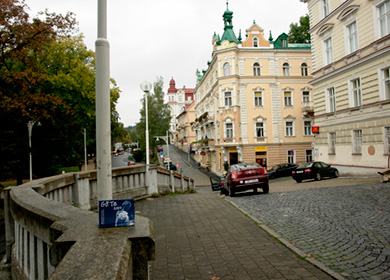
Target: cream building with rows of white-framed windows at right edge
351, 81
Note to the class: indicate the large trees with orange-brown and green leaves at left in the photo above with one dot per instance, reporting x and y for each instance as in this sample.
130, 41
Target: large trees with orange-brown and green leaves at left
46, 75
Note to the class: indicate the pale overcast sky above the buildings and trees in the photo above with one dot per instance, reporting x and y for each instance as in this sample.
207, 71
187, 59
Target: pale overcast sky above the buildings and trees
168, 38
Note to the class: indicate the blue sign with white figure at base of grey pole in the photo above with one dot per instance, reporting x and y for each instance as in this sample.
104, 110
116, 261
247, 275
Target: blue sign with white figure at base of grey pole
116, 213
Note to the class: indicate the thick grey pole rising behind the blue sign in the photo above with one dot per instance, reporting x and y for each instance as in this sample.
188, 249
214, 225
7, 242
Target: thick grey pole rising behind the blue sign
103, 108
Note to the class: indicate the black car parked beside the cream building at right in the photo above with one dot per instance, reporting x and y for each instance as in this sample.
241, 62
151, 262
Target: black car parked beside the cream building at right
314, 170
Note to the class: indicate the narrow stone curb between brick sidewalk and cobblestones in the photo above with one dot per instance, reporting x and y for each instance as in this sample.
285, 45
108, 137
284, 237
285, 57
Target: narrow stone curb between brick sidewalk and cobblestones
289, 245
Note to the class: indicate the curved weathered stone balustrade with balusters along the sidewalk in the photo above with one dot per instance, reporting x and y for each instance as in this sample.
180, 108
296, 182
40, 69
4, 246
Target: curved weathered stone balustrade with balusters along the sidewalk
52, 226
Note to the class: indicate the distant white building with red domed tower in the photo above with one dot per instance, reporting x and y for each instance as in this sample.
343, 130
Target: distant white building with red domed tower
178, 99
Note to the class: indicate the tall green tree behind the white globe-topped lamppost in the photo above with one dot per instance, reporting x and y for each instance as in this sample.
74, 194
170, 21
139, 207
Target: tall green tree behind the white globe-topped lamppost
159, 116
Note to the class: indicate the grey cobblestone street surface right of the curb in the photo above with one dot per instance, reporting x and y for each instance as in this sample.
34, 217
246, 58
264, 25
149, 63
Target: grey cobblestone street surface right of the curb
345, 228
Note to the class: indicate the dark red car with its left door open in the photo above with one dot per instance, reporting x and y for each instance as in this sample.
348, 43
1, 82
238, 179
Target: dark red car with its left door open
244, 176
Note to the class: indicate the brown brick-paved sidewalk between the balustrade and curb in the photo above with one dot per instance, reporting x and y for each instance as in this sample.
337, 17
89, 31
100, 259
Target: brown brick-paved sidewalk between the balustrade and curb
201, 236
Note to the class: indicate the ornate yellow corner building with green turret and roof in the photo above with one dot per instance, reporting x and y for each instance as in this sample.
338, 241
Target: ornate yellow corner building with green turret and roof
254, 103
